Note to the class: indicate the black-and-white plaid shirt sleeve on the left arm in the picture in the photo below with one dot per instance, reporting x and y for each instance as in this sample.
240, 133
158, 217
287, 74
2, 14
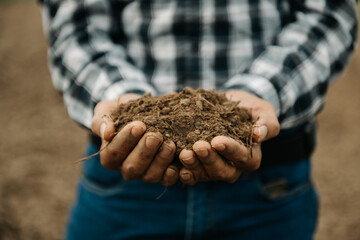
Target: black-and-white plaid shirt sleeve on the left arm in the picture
86, 65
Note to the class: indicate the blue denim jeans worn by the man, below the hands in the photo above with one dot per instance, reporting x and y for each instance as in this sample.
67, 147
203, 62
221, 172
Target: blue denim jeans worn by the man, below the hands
274, 203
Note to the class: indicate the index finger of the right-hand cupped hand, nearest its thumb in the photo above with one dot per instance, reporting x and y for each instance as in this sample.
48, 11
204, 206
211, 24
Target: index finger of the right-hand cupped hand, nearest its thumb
237, 153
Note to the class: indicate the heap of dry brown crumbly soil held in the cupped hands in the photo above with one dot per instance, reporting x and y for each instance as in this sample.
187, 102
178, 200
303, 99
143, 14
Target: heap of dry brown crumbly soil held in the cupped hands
188, 116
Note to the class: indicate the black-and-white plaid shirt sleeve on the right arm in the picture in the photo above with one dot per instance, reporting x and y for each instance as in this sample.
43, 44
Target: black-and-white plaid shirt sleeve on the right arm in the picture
294, 71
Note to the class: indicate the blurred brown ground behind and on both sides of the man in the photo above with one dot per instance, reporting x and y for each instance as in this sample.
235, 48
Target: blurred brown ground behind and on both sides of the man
39, 142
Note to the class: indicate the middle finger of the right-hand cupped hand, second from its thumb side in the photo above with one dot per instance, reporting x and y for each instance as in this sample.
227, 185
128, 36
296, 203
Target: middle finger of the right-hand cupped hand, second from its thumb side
214, 165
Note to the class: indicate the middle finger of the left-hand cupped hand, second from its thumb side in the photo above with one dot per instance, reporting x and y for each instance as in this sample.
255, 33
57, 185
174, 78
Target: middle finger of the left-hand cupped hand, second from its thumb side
139, 159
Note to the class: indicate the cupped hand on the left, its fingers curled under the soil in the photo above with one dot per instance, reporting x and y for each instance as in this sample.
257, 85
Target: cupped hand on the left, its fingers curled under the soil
135, 154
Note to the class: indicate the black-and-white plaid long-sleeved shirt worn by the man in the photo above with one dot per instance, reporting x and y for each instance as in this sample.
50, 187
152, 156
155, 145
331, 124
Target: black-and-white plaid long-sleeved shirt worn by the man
286, 52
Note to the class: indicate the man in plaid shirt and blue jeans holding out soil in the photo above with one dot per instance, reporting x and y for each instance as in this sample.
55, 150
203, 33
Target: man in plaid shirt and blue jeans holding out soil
277, 57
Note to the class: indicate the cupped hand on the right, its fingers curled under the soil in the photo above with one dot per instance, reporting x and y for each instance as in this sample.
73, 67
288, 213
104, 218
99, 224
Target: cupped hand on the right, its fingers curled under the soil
224, 159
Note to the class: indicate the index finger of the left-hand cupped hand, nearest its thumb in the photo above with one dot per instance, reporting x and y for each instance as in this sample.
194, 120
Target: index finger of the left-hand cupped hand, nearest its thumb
121, 145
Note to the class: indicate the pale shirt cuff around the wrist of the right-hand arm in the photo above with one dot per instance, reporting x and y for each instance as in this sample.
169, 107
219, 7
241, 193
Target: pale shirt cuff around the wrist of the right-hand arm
256, 85
